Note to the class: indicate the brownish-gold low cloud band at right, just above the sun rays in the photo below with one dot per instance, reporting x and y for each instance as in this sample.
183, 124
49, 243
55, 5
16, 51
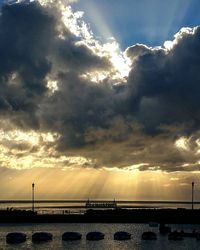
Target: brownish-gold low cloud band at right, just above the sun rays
156, 152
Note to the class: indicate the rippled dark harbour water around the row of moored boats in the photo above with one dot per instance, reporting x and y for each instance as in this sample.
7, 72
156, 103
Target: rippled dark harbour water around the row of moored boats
108, 243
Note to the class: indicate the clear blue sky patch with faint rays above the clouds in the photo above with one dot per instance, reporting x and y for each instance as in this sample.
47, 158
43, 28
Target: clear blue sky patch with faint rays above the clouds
150, 22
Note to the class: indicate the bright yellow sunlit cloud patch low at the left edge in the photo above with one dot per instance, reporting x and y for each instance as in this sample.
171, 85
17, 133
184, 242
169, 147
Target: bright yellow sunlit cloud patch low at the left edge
26, 150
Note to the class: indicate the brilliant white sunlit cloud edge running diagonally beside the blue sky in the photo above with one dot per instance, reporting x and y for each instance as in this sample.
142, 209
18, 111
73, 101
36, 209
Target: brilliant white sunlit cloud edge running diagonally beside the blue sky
75, 23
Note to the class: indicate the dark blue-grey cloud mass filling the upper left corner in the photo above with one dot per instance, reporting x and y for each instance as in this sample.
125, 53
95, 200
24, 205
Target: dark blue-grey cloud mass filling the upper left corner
24, 32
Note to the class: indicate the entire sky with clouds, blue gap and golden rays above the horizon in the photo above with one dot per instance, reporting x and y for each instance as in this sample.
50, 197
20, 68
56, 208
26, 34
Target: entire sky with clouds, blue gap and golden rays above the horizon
99, 99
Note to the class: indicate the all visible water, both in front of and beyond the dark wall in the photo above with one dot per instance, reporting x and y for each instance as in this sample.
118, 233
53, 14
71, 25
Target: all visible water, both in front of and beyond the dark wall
108, 243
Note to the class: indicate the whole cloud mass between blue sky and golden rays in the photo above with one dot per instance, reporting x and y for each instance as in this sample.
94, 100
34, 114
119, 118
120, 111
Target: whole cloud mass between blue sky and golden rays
64, 101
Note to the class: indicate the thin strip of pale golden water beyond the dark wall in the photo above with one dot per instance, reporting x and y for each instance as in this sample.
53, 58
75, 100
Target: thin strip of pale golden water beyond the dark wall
81, 204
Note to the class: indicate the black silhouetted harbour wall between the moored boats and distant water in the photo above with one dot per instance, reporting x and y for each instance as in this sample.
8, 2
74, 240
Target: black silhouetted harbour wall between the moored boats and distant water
107, 216
